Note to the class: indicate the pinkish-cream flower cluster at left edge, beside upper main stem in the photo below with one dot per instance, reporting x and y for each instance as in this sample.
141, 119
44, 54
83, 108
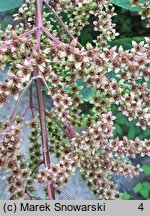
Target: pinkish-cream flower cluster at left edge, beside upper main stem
18, 74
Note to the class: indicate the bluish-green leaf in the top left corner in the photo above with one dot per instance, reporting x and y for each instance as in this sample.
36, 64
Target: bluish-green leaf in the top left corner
6, 5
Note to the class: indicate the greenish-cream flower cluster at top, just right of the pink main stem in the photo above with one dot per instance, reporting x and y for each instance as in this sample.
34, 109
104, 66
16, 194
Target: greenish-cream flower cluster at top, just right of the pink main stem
102, 10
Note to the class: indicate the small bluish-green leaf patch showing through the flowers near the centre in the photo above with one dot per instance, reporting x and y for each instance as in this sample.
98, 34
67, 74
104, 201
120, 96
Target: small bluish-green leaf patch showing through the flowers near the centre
86, 93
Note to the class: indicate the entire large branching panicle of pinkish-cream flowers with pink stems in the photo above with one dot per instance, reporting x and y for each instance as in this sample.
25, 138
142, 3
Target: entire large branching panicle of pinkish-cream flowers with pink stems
79, 125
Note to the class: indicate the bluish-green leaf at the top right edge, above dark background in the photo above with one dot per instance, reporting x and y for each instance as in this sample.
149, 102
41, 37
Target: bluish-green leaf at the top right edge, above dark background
126, 4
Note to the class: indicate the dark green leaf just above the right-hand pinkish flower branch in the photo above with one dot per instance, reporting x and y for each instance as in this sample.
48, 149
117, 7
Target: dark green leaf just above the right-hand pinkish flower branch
126, 43
